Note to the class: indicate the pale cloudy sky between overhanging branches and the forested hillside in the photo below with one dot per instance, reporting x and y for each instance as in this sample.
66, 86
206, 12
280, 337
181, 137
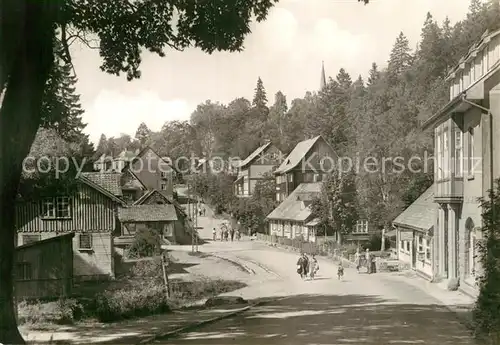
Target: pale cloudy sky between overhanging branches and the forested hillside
286, 51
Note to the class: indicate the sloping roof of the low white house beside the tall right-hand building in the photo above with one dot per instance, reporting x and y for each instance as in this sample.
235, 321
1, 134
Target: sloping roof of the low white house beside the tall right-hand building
421, 214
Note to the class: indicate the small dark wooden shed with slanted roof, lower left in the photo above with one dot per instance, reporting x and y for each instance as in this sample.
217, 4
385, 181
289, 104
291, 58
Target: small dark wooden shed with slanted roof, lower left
44, 269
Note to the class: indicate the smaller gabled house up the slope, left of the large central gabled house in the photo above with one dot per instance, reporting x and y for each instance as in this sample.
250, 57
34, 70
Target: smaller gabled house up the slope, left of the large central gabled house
253, 169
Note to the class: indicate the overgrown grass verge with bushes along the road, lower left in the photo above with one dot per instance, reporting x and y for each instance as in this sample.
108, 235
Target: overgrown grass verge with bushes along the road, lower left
143, 293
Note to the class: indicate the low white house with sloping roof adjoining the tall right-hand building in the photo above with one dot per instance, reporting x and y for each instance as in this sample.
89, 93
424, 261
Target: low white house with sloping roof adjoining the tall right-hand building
414, 233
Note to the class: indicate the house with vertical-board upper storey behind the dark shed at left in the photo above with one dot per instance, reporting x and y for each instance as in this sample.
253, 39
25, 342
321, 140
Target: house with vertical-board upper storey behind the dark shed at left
89, 212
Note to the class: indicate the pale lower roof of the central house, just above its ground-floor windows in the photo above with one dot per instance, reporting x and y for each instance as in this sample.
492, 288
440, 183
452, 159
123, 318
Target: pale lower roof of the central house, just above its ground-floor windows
296, 205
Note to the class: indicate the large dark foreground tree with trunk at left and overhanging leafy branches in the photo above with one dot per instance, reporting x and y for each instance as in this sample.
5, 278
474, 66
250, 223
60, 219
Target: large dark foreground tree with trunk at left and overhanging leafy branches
124, 29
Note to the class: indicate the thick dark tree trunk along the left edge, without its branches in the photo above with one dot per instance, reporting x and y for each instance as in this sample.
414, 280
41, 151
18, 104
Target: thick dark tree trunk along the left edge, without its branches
19, 121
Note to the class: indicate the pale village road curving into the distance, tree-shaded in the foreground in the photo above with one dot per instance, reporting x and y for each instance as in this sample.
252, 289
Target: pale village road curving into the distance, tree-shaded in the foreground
361, 309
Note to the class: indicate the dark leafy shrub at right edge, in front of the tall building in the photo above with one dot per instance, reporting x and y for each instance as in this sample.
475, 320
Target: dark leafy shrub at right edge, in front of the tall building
485, 313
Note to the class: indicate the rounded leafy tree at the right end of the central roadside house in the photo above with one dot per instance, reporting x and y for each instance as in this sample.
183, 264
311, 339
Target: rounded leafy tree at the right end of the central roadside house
336, 207
